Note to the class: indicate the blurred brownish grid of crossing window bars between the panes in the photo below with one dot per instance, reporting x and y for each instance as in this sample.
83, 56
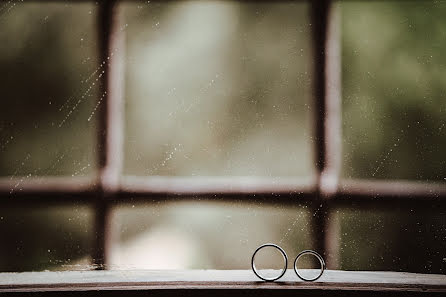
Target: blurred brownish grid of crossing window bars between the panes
324, 193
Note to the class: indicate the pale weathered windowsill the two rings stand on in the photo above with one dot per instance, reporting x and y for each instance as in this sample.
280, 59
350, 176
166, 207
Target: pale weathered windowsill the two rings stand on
348, 282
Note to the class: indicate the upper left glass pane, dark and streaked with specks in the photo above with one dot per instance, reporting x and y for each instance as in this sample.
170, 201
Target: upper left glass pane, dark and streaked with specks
48, 58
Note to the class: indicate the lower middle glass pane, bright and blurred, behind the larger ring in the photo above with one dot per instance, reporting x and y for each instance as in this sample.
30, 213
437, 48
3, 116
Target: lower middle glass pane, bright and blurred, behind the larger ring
204, 235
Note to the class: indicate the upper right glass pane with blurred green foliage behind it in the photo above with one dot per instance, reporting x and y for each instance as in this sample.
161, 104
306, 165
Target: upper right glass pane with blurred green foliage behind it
393, 81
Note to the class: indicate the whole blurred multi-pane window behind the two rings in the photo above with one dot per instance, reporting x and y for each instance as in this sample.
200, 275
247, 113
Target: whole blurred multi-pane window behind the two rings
189, 126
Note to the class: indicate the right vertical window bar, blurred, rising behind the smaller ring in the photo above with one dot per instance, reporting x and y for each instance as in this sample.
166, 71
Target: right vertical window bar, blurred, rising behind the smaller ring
327, 123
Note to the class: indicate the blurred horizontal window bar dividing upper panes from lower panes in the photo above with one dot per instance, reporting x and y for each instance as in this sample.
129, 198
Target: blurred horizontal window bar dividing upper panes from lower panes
43, 190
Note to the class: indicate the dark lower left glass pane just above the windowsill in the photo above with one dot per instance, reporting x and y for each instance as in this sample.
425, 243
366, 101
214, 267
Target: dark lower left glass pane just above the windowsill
53, 238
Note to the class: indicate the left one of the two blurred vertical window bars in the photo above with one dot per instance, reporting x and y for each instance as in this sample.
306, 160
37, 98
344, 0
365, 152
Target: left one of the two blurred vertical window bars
110, 126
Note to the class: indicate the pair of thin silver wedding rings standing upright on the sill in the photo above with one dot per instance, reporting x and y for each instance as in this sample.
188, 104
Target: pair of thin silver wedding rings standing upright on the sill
285, 258
